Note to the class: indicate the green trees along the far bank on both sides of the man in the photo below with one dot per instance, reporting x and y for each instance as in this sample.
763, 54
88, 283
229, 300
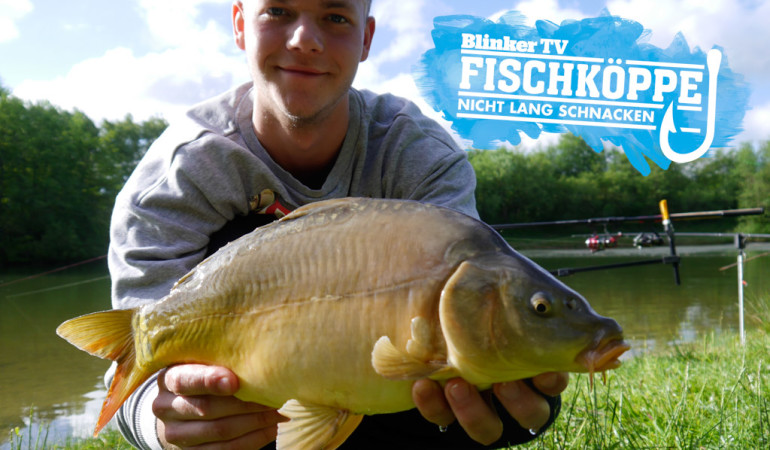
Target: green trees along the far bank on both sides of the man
60, 173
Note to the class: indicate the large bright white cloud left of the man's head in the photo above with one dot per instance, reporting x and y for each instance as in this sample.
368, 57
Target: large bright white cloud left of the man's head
192, 61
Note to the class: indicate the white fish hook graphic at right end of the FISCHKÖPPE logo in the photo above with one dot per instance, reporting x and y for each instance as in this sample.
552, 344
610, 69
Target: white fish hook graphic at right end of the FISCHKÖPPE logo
713, 60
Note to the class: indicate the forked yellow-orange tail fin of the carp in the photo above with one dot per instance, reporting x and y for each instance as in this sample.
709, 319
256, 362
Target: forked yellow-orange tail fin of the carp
109, 335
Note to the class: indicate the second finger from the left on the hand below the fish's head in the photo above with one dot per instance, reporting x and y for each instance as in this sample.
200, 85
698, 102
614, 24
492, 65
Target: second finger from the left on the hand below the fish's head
473, 413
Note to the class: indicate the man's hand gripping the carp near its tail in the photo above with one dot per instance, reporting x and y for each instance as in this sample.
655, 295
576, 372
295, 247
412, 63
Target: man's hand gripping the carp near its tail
195, 407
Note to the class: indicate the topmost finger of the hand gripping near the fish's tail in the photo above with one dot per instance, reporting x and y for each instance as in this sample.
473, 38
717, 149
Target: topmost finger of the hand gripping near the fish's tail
194, 379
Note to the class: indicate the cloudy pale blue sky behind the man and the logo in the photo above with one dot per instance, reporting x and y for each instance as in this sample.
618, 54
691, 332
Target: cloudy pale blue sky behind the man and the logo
153, 58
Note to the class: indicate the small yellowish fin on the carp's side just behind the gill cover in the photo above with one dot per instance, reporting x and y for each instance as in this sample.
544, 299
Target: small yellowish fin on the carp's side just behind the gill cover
395, 364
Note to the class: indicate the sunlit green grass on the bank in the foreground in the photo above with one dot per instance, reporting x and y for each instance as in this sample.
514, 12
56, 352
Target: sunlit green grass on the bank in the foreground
709, 394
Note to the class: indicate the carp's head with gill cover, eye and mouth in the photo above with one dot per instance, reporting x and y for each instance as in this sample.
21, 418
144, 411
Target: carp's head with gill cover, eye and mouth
505, 318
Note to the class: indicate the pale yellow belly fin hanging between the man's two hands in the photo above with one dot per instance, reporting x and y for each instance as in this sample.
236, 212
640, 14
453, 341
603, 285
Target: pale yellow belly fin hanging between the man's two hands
314, 427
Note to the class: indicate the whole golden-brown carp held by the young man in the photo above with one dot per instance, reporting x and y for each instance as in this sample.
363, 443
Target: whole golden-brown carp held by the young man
333, 311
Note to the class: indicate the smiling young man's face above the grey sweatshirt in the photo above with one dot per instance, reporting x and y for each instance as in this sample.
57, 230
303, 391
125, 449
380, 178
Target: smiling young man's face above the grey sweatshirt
302, 54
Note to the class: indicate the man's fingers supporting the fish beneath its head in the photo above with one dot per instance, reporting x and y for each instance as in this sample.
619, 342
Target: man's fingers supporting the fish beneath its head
461, 401
